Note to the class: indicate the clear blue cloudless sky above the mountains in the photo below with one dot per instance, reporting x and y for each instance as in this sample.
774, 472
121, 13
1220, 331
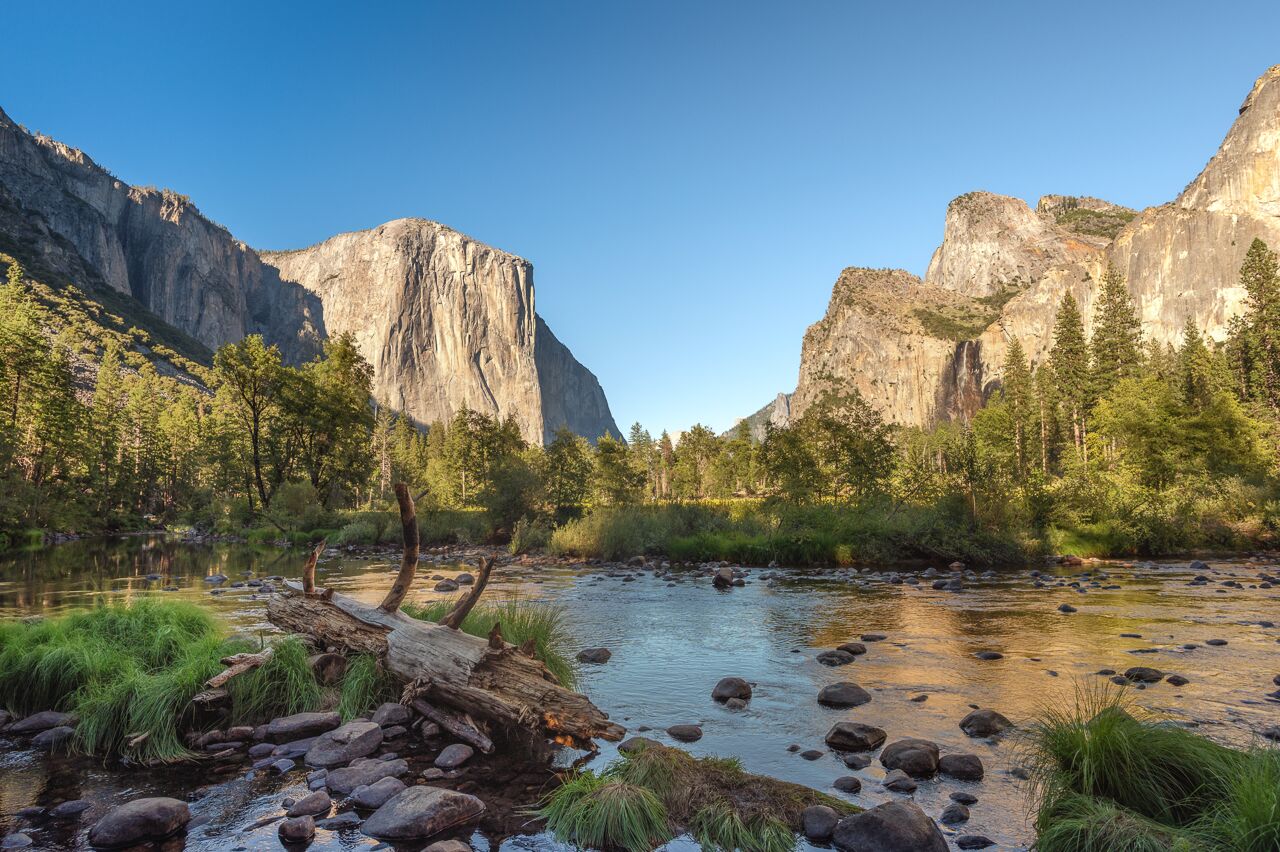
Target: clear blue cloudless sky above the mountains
688, 178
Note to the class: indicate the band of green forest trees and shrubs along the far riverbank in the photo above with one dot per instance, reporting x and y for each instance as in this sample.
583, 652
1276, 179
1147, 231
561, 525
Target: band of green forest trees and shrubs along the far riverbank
1112, 446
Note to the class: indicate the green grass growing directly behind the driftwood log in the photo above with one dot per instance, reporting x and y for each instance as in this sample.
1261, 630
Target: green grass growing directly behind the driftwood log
522, 621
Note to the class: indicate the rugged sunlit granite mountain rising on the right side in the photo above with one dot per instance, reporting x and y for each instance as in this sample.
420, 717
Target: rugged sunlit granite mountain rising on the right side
932, 350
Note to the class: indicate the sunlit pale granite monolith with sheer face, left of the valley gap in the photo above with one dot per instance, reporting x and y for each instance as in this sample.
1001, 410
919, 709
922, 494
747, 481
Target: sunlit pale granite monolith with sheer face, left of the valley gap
447, 323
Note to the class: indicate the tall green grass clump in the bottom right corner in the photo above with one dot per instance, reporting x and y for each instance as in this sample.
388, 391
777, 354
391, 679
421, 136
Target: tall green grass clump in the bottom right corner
1112, 777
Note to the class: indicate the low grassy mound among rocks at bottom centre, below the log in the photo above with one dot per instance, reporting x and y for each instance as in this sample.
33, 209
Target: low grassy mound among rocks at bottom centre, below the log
647, 798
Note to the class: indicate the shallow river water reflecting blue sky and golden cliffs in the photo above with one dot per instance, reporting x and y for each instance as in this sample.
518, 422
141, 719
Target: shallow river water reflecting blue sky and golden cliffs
674, 639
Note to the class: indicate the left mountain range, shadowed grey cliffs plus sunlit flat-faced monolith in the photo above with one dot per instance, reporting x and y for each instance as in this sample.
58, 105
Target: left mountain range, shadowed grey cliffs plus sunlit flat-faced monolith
445, 320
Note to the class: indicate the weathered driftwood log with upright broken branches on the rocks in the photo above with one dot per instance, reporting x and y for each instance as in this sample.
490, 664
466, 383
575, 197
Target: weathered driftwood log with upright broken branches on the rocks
454, 674
